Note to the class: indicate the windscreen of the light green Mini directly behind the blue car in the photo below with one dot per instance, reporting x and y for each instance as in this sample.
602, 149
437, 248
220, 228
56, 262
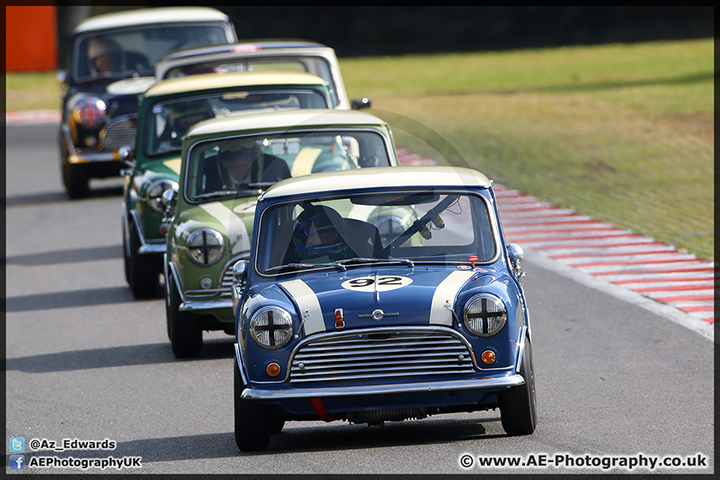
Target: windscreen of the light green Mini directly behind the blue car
243, 166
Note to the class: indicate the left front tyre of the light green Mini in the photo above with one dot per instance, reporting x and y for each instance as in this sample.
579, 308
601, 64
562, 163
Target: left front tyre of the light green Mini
184, 328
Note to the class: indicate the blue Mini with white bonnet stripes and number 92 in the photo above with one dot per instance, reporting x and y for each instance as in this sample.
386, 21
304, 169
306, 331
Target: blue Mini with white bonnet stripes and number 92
380, 294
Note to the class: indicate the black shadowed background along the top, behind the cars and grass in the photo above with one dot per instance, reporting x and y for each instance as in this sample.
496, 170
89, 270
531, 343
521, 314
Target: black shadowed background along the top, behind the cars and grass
396, 30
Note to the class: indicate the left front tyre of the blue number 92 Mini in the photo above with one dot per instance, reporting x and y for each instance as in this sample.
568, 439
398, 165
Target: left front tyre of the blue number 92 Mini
253, 420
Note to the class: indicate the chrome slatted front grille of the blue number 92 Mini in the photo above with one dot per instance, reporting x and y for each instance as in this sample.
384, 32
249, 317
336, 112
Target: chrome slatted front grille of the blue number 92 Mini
381, 354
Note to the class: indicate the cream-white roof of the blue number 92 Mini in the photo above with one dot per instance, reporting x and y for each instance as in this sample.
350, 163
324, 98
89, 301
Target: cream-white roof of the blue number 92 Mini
362, 178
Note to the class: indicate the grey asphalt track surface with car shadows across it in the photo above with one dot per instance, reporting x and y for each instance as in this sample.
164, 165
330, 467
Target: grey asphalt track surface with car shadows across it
616, 378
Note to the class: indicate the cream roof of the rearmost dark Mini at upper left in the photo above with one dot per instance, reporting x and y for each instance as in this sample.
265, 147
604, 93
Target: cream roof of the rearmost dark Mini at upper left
143, 16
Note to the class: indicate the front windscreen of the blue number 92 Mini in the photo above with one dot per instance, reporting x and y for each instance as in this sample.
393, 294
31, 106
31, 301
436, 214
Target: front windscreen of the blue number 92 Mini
431, 226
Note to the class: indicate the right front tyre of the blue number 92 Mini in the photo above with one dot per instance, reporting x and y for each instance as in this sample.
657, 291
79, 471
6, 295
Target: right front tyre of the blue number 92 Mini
518, 412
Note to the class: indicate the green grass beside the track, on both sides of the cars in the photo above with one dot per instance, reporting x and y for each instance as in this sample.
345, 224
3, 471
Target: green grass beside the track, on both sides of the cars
624, 133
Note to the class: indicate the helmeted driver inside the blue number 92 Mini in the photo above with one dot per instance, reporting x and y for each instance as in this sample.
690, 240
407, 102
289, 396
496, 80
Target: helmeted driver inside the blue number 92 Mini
318, 235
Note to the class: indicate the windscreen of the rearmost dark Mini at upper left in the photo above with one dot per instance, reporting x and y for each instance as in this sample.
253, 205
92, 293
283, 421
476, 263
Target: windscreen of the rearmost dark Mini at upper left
122, 53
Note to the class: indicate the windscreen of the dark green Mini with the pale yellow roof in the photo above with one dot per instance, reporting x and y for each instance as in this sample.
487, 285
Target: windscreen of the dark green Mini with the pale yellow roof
166, 122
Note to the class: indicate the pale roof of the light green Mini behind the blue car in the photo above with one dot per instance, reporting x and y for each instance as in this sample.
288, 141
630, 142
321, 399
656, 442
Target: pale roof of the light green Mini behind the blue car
284, 119
